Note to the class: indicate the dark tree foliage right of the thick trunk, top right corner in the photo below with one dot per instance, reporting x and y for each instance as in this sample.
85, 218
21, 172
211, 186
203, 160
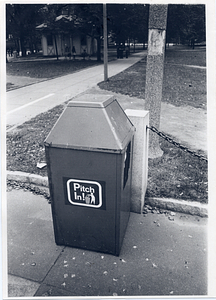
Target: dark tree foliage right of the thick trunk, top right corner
186, 23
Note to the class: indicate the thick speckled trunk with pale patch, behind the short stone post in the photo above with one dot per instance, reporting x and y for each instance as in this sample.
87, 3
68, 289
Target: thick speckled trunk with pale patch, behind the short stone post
155, 71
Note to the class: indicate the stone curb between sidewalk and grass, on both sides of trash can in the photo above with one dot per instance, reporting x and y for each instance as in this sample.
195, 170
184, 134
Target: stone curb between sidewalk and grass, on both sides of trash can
187, 207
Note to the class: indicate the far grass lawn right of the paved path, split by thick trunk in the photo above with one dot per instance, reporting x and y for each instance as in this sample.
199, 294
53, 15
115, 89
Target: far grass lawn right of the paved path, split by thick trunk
182, 85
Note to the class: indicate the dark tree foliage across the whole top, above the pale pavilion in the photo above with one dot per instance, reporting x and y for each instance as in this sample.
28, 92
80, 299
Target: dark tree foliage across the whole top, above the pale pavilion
126, 22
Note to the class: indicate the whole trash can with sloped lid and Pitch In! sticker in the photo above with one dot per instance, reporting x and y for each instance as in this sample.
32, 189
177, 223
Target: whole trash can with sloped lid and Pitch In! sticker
89, 156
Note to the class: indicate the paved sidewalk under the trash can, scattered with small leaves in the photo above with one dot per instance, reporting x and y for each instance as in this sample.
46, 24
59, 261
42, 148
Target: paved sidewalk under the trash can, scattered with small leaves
161, 255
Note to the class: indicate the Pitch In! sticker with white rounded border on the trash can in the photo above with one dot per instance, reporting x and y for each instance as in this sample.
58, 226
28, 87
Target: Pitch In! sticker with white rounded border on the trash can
84, 192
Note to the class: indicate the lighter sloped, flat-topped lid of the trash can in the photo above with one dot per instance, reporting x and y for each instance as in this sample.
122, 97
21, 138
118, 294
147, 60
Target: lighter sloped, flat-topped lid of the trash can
94, 123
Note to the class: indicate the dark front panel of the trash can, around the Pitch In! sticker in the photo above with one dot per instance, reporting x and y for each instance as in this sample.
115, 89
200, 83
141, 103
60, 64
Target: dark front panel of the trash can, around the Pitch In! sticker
84, 227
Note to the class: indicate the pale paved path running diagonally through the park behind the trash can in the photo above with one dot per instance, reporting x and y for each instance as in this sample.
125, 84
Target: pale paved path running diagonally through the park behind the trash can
29, 101
